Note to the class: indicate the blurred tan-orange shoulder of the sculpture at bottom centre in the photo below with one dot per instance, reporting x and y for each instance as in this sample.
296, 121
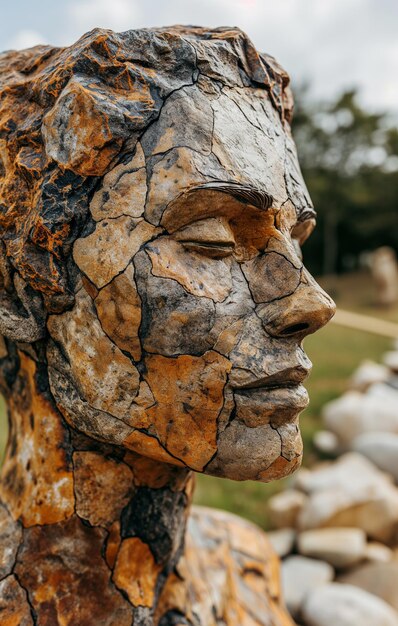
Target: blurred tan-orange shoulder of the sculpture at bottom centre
229, 574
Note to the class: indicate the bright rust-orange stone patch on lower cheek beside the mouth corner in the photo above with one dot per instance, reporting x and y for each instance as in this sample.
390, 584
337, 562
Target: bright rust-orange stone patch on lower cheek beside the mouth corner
189, 394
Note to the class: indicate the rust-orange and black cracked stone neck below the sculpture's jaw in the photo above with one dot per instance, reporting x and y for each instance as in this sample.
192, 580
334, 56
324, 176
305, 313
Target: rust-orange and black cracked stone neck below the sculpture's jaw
84, 518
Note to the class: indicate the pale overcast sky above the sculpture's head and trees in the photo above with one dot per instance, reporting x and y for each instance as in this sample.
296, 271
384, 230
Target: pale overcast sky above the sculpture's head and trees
333, 44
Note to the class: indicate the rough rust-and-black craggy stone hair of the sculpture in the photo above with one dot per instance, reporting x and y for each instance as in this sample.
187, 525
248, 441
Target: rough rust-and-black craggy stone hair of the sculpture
67, 115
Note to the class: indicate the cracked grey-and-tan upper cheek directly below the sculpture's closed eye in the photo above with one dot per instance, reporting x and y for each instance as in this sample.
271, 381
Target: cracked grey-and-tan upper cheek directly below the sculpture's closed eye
176, 319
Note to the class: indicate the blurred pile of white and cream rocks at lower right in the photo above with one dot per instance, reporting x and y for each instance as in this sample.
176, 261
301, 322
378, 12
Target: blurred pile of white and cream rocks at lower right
336, 528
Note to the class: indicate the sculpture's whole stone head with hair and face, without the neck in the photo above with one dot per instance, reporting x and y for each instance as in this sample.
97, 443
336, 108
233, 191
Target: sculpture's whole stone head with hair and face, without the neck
152, 214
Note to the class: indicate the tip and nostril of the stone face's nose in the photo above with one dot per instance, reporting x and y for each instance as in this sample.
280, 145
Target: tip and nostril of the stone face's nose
299, 314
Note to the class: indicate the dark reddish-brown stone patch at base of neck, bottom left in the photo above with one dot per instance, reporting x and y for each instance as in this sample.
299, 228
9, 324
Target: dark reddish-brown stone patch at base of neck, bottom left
70, 586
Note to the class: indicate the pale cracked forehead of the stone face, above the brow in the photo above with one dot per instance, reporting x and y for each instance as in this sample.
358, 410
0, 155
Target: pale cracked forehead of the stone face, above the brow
234, 134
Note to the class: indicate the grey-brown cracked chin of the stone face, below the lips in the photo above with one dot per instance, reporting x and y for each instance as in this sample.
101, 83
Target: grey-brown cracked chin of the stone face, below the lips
263, 453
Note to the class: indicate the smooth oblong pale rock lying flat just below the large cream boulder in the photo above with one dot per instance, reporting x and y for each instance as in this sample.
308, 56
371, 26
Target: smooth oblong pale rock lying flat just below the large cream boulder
341, 547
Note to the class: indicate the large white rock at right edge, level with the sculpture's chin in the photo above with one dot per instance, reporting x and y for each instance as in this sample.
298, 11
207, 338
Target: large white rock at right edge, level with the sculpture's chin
355, 413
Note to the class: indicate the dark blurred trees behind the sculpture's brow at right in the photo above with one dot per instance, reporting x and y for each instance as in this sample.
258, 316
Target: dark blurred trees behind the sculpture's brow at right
349, 159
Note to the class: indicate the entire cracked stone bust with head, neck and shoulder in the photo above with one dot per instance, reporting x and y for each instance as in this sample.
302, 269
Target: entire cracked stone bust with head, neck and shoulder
153, 306
